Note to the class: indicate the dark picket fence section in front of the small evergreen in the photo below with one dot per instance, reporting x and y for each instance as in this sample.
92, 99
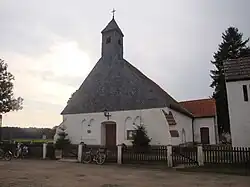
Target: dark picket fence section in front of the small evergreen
154, 154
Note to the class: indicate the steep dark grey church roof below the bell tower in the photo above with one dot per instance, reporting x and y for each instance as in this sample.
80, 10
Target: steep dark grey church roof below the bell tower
117, 86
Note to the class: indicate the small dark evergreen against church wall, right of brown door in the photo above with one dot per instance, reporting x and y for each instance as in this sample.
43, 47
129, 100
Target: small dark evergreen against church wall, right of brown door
140, 138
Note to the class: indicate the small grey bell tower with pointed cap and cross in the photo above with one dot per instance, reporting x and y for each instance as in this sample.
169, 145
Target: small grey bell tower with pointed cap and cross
112, 41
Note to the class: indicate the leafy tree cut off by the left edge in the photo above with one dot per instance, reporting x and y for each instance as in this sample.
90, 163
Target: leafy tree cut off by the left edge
7, 100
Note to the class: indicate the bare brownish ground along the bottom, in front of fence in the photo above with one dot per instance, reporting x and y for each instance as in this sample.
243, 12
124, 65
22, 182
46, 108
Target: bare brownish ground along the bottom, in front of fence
35, 173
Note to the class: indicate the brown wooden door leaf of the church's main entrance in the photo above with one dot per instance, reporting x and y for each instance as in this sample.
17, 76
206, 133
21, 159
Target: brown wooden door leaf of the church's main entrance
110, 135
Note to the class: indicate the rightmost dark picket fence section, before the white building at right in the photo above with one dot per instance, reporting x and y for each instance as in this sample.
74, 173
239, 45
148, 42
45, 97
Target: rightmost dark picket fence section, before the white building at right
226, 155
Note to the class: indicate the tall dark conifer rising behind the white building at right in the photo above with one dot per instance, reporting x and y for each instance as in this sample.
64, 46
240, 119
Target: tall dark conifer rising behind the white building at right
232, 46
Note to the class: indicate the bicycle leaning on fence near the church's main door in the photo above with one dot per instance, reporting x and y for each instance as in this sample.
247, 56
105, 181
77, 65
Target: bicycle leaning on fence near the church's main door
99, 157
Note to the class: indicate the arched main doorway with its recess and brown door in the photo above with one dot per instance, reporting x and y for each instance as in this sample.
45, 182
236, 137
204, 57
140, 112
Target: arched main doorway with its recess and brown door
109, 133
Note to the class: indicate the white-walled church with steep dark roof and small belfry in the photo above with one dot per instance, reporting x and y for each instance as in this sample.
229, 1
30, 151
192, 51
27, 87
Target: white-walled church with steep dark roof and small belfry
115, 97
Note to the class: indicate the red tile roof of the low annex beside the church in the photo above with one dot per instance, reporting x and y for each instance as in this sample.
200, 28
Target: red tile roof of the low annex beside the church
201, 107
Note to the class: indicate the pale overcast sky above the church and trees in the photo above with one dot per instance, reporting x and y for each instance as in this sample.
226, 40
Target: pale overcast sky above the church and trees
51, 46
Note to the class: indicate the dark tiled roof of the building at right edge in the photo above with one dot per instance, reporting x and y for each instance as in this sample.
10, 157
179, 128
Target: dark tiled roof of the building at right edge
237, 69
